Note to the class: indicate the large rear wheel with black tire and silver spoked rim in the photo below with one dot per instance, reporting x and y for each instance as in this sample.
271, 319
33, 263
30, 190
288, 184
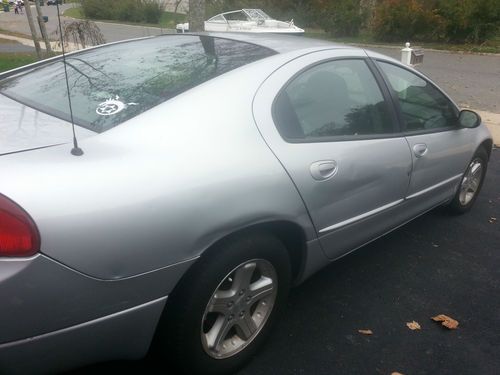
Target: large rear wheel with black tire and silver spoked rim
224, 307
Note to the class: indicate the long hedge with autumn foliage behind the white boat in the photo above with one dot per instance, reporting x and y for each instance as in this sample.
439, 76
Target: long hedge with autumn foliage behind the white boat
462, 21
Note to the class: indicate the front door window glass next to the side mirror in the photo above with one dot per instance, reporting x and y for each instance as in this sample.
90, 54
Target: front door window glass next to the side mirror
422, 105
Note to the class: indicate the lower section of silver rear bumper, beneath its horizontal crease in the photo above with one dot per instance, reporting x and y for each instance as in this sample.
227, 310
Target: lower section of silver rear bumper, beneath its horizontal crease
123, 335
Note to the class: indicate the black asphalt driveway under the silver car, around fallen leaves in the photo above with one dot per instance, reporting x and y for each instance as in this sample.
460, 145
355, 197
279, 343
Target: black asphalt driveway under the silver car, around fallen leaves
437, 264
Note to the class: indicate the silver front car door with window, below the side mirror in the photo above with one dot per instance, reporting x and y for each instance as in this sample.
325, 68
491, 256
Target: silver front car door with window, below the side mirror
441, 150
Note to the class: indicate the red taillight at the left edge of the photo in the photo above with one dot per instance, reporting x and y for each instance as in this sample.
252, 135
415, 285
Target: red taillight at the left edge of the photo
18, 233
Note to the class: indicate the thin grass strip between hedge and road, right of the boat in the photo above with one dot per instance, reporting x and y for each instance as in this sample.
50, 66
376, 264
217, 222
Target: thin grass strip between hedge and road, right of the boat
490, 46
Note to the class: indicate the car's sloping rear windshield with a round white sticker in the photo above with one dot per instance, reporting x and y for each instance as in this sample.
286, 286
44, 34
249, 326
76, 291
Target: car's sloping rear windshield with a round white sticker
112, 84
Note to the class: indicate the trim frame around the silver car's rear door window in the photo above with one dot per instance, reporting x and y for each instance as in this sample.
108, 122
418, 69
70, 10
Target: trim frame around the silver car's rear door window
386, 95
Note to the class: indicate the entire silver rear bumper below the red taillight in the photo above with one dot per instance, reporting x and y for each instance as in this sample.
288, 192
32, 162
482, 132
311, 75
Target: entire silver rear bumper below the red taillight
53, 318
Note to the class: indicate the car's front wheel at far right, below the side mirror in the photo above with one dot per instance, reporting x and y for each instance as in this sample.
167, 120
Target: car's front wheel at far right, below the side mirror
471, 183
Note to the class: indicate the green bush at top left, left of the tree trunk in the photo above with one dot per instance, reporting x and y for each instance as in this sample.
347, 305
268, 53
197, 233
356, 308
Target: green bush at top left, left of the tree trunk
148, 11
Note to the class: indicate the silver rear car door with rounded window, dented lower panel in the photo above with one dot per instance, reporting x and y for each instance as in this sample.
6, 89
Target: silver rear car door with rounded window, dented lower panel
326, 118
